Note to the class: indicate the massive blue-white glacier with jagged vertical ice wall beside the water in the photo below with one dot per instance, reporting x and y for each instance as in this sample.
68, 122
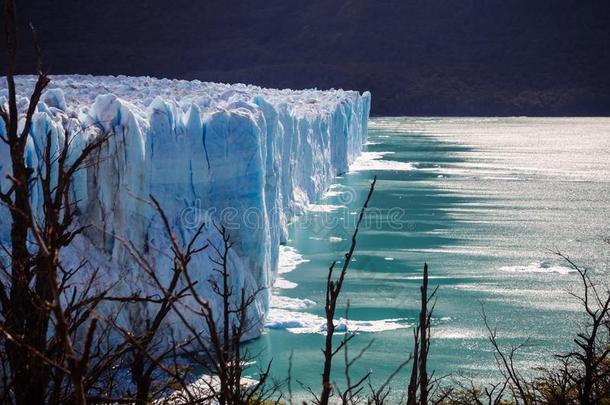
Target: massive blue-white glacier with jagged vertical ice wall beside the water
244, 156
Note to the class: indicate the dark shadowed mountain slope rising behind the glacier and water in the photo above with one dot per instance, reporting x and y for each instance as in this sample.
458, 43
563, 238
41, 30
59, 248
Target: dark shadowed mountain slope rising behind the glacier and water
418, 57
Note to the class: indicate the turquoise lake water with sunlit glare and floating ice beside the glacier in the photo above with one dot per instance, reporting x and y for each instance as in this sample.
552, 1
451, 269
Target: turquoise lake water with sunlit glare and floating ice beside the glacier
483, 201
